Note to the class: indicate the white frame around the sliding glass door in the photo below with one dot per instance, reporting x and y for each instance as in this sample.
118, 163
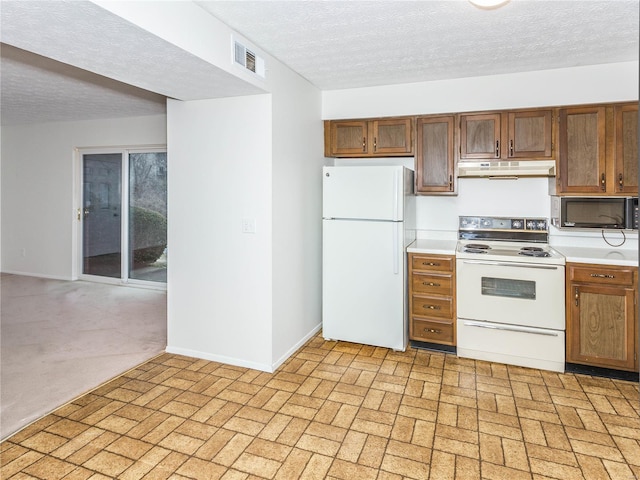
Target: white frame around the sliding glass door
78, 227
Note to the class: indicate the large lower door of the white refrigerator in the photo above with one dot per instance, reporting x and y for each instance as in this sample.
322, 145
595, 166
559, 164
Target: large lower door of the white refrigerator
363, 281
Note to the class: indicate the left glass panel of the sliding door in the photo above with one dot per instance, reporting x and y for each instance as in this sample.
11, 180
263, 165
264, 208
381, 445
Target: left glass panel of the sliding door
102, 214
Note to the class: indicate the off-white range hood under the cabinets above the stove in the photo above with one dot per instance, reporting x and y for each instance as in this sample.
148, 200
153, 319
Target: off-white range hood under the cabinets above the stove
509, 169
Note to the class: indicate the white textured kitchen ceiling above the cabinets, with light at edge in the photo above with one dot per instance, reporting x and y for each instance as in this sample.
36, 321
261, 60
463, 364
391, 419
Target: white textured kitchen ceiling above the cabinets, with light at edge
346, 44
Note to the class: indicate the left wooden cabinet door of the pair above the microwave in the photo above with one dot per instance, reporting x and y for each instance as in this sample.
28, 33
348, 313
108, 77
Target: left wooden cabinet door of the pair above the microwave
582, 150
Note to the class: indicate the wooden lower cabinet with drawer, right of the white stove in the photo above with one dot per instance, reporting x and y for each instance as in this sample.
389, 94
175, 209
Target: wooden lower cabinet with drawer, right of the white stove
601, 316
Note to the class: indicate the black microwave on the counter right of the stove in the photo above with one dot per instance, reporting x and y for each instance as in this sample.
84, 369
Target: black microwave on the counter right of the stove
595, 212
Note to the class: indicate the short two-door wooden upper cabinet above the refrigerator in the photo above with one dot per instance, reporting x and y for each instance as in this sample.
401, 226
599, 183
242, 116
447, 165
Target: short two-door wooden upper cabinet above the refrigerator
369, 138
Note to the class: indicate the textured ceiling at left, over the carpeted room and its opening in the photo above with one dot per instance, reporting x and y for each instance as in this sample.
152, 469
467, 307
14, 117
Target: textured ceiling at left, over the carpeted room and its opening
83, 52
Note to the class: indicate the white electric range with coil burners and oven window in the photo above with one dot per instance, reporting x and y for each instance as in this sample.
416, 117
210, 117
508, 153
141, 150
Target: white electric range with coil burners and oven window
510, 292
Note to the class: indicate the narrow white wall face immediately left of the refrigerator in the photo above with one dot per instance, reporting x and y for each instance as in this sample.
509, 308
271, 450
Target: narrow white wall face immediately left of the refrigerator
297, 211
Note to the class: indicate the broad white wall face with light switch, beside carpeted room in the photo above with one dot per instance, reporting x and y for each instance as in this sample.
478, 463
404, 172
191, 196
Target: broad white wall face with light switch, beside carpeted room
220, 279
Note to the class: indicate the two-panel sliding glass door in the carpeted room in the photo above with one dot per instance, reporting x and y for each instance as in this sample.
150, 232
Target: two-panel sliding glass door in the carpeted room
124, 215
